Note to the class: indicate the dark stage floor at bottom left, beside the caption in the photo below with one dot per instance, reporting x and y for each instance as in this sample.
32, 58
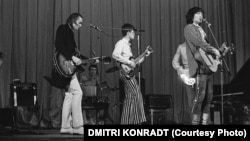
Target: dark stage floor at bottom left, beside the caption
37, 135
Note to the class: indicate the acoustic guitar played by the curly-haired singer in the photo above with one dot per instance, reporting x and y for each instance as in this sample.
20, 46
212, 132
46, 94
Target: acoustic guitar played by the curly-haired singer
210, 62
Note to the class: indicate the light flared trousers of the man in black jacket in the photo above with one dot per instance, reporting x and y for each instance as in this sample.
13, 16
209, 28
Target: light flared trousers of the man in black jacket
72, 105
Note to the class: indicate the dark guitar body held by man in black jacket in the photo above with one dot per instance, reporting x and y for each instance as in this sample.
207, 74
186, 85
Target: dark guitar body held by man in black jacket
64, 67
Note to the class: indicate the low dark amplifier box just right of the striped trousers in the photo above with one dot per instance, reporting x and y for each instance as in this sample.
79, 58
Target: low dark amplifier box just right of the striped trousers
158, 101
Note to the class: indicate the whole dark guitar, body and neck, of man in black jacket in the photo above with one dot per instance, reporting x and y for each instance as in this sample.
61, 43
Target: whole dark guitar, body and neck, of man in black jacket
67, 68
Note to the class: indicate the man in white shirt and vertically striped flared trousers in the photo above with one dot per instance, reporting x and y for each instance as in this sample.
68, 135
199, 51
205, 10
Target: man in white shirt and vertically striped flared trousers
133, 109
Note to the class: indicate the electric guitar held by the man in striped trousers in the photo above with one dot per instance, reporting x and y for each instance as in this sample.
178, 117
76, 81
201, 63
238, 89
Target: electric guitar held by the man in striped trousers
129, 71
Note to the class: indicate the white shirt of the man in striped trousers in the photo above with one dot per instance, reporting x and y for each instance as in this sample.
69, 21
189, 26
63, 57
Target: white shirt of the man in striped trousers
122, 51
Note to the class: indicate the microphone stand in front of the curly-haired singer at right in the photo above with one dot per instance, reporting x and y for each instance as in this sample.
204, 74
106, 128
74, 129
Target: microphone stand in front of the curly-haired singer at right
221, 73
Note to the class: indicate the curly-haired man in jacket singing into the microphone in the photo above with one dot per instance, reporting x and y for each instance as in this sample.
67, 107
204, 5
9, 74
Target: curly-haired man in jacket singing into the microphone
196, 40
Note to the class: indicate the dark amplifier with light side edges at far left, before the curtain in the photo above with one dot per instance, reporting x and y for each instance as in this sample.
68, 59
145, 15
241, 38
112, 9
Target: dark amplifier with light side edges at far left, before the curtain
23, 94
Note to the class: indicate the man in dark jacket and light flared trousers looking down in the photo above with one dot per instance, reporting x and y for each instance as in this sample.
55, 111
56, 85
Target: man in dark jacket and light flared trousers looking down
72, 120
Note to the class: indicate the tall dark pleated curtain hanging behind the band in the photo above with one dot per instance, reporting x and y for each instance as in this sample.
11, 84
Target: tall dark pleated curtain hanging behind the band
27, 33
